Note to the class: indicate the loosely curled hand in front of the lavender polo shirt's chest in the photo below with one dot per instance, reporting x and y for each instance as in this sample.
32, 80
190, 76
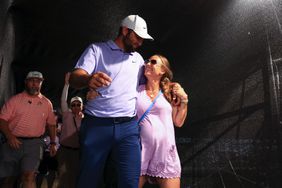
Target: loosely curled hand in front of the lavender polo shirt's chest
99, 79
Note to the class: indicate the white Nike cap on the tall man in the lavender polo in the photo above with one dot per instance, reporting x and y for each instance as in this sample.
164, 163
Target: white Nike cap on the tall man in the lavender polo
138, 25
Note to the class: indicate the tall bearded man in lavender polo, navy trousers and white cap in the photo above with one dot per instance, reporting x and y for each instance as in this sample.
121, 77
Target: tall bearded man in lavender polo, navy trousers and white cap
113, 69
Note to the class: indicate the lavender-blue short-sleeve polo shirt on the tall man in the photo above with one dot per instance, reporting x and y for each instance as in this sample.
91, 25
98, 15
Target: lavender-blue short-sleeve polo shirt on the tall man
119, 98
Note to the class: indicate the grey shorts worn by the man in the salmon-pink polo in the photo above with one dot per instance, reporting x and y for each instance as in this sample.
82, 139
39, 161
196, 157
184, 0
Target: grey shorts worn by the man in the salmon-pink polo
25, 159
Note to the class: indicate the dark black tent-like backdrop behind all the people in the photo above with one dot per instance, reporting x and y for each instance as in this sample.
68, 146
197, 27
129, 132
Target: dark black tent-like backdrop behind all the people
226, 54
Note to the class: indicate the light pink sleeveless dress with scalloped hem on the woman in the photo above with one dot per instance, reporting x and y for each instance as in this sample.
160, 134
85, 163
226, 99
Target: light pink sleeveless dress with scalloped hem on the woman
159, 153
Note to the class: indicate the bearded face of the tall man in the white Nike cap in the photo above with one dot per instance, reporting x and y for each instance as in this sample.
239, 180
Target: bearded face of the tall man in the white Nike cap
132, 41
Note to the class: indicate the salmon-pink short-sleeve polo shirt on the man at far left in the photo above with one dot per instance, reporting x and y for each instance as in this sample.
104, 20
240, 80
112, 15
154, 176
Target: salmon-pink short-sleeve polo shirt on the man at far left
28, 115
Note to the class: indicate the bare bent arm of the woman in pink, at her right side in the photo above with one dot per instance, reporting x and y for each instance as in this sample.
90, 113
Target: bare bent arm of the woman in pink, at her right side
180, 106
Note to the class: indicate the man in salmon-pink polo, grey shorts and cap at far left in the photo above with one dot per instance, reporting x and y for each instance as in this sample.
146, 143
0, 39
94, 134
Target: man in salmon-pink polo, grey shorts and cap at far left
23, 119
